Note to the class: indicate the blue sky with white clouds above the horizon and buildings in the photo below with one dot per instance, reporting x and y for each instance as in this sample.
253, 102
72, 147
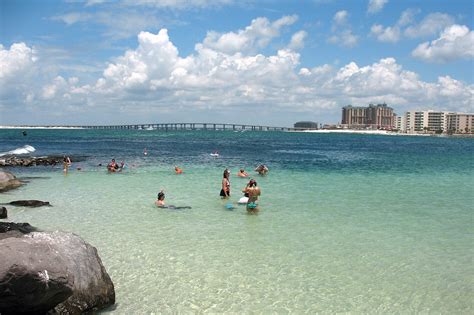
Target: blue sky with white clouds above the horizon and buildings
265, 62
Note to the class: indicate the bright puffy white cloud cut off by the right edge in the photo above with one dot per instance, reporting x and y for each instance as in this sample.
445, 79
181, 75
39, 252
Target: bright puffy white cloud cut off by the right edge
455, 42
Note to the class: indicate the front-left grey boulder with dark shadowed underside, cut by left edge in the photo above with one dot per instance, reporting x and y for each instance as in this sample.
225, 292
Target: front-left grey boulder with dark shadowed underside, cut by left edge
33, 278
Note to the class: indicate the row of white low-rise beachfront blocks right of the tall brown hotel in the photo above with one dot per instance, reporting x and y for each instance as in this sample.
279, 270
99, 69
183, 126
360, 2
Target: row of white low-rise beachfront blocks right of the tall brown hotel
430, 121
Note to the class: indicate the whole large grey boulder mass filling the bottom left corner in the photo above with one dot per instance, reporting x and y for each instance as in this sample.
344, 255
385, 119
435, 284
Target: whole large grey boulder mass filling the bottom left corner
41, 271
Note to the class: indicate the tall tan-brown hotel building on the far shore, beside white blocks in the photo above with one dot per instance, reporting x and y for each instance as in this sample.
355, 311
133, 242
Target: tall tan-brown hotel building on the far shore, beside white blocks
378, 116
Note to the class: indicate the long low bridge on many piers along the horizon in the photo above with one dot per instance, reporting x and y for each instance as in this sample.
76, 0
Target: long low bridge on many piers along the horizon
190, 126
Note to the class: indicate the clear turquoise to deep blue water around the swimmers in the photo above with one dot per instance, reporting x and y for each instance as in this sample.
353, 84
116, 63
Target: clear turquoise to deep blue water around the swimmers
347, 223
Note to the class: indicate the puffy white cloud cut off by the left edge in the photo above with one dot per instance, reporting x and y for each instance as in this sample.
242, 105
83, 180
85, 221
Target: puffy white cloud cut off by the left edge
17, 60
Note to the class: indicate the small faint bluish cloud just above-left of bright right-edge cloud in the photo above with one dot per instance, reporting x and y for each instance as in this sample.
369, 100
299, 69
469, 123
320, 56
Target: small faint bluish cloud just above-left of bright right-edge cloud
432, 24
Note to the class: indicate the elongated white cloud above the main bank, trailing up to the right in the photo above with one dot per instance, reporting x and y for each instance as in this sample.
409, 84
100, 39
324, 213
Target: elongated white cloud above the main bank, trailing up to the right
254, 37
